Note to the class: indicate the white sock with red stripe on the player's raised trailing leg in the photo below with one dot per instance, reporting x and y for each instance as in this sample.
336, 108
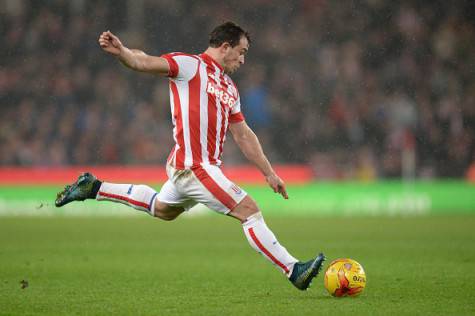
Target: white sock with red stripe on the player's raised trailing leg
141, 197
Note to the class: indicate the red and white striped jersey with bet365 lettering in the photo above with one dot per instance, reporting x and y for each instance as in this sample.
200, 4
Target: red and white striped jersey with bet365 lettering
203, 101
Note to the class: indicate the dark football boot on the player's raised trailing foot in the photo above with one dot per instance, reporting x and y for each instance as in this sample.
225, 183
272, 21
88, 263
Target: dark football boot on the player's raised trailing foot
85, 187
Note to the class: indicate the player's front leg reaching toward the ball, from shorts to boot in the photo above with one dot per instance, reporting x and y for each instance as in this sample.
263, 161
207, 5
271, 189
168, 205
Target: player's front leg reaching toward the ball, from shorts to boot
212, 188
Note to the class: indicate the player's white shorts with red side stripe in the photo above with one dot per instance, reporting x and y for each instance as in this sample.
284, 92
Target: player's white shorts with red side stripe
205, 184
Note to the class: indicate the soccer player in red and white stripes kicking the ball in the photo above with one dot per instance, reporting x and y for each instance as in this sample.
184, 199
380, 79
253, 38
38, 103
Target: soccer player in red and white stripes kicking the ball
204, 104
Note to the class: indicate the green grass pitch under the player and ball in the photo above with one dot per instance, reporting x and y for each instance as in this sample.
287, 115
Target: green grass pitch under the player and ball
204, 266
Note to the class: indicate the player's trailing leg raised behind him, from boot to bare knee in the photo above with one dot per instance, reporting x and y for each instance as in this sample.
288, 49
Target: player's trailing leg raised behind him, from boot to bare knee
140, 197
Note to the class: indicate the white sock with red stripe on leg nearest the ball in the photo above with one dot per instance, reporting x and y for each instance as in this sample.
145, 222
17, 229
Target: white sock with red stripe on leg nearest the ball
262, 239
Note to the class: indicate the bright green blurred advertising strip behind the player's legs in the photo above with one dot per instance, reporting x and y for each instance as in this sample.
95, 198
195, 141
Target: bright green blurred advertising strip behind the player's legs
319, 198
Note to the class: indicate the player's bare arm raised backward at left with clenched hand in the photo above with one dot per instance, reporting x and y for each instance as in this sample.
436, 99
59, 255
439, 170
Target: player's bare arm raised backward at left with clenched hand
132, 58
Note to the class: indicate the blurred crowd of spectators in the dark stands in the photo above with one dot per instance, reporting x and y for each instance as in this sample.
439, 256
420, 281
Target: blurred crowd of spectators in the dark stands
356, 89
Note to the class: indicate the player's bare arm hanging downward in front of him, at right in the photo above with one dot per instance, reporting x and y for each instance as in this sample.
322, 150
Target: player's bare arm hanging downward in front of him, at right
252, 149
